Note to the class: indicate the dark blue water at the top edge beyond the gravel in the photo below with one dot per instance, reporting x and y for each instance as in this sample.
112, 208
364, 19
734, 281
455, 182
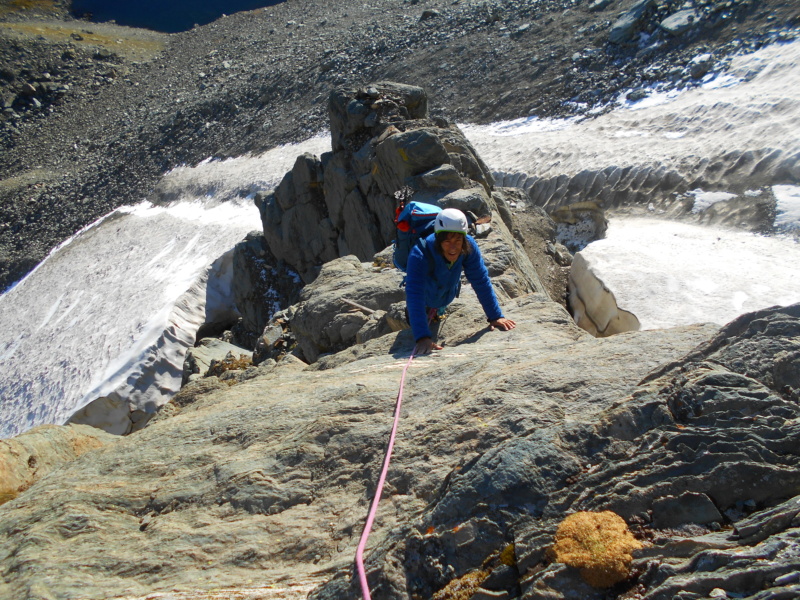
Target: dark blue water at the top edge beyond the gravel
163, 15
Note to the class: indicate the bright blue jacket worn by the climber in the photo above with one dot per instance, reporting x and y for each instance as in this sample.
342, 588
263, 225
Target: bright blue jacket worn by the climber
436, 285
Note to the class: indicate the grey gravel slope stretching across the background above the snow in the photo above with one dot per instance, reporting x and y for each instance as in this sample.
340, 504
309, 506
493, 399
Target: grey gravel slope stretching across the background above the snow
94, 114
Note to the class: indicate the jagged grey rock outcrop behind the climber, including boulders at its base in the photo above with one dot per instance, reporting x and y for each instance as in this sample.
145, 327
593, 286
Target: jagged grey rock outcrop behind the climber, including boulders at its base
386, 151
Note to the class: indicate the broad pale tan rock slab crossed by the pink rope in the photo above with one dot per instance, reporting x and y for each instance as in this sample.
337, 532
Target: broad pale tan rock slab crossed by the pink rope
269, 476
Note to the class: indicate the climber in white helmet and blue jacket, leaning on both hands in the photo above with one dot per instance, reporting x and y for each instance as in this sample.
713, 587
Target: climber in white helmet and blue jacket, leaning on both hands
433, 278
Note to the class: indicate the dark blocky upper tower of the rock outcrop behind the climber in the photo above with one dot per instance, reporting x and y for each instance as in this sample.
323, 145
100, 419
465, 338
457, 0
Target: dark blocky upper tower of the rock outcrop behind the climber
384, 147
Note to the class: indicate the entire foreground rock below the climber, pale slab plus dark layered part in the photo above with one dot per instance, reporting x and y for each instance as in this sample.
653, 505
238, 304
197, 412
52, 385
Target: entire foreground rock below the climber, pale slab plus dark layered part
264, 476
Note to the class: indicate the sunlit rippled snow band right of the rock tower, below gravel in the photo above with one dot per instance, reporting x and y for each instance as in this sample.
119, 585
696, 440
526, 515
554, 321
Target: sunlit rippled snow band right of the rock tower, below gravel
735, 128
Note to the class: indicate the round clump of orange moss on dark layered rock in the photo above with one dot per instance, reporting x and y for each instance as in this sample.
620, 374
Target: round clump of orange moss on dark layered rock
599, 544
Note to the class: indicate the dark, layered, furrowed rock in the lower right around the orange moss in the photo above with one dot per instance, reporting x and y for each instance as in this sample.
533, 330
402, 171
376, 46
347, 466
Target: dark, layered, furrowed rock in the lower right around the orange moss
701, 458
